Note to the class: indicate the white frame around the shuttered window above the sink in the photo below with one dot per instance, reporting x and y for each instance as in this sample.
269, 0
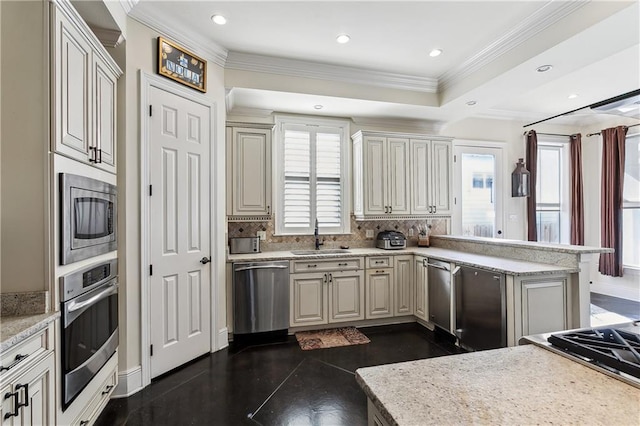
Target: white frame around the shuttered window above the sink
316, 124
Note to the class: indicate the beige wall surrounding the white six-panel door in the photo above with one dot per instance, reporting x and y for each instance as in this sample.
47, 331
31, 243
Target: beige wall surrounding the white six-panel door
141, 46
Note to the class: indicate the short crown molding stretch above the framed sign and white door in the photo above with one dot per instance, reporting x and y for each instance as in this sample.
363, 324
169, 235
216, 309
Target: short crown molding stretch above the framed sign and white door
201, 46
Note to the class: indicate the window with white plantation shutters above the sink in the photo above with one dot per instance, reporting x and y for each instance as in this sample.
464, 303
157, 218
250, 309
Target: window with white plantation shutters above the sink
312, 175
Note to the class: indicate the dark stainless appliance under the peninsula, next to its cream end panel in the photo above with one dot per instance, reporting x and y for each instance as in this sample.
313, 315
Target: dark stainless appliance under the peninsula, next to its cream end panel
481, 314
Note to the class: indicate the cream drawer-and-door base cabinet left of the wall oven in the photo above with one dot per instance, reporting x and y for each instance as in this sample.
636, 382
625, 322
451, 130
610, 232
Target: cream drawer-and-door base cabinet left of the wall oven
27, 381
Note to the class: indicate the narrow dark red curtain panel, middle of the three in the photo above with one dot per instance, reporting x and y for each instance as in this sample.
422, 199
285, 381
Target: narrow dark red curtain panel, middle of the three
577, 197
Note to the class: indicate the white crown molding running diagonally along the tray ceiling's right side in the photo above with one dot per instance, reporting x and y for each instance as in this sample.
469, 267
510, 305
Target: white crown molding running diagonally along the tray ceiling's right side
535, 23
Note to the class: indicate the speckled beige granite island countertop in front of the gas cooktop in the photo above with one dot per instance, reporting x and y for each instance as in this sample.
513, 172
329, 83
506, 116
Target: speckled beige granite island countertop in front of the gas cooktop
518, 385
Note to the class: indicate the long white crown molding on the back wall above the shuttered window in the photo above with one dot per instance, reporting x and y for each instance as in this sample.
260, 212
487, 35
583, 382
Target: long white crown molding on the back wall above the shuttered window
309, 69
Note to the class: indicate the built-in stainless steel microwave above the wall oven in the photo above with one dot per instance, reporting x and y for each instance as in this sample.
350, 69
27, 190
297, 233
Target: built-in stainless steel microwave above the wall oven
88, 218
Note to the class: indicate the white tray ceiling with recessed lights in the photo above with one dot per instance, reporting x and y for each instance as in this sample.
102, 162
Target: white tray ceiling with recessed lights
490, 54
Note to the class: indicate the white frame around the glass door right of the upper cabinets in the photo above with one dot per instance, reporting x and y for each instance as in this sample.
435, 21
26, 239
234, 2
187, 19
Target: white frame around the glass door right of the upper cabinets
459, 144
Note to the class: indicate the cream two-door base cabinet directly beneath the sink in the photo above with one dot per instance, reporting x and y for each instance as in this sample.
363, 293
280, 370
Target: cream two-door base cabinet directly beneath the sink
327, 297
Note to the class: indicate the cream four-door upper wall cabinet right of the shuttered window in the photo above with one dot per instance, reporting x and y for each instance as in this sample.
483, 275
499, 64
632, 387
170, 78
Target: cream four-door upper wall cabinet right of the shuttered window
401, 174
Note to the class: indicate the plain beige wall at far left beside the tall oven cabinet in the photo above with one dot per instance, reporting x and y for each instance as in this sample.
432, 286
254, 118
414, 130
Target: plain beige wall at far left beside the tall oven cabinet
24, 170
